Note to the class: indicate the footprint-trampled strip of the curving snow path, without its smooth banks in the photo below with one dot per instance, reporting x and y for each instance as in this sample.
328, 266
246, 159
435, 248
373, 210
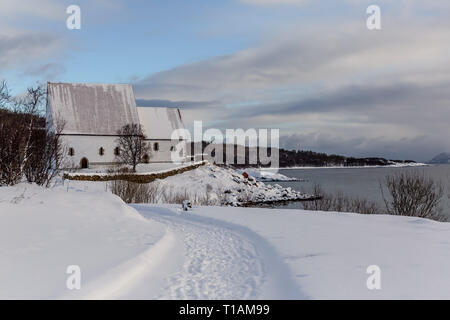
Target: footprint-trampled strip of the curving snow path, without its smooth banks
218, 264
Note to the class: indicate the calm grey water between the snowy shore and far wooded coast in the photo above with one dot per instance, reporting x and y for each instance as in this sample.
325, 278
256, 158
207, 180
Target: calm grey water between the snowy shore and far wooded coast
358, 182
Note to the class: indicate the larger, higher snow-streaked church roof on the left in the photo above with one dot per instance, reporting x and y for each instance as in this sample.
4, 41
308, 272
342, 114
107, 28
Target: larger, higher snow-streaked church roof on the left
87, 108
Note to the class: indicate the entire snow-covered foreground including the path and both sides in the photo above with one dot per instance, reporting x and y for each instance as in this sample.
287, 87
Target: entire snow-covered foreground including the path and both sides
158, 251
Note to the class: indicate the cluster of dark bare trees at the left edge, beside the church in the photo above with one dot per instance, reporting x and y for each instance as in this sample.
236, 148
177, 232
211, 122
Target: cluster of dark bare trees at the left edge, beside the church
27, 147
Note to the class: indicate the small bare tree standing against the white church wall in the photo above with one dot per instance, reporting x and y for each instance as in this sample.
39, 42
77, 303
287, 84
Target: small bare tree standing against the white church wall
132, 145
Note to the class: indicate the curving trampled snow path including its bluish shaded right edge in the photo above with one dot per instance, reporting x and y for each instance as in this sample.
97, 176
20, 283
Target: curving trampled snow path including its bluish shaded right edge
219, 260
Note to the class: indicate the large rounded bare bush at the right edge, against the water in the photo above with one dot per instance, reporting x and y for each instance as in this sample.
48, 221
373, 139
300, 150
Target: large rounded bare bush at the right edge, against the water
414, 194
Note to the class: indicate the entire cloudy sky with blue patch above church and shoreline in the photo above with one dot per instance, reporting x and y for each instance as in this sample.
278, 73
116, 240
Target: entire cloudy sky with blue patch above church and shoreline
308, 67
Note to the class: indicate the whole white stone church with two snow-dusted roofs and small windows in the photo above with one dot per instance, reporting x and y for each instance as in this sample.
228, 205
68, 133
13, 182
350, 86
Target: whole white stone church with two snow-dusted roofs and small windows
93, 114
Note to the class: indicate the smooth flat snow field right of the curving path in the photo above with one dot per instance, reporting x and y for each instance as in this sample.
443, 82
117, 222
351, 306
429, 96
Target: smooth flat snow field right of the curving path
327, 254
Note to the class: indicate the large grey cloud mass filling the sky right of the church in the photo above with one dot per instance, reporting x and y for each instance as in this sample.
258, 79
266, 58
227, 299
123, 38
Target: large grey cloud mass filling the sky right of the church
386, 90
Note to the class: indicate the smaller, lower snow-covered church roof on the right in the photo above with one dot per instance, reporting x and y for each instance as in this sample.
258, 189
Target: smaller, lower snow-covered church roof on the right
159, 123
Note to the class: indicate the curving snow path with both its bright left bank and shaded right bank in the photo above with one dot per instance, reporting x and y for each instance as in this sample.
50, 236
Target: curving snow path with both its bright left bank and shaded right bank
196, 258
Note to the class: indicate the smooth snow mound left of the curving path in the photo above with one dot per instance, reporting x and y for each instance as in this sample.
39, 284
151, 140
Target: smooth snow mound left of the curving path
43, 231
